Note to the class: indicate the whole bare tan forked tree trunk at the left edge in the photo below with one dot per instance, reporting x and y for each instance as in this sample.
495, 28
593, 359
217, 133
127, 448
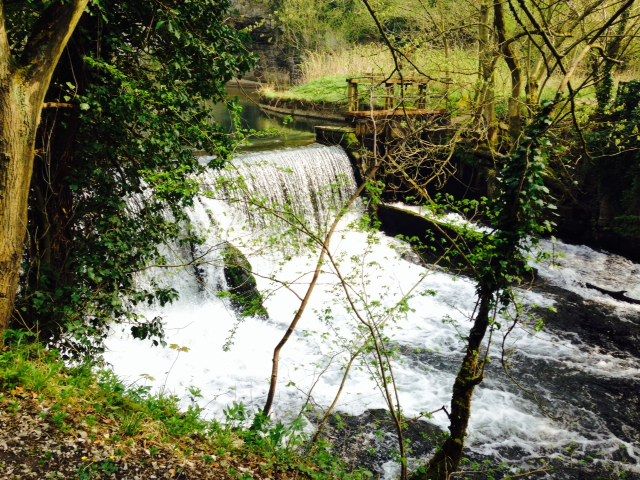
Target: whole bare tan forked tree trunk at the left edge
24, 80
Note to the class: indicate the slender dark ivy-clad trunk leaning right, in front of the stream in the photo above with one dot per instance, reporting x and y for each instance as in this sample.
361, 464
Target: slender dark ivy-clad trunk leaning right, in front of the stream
519, 214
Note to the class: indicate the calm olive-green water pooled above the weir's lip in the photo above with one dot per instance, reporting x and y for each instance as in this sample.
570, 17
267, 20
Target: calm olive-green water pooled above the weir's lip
284, 131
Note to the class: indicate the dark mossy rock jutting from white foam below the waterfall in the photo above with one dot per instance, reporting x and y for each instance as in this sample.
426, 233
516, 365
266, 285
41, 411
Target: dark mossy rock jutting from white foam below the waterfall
242, 289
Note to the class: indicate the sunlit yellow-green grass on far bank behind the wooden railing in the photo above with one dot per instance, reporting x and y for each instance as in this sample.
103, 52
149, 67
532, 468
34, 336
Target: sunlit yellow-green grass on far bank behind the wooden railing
452, 85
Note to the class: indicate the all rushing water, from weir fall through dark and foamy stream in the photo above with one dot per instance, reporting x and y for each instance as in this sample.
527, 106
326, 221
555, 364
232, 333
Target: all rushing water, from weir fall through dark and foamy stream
569, 394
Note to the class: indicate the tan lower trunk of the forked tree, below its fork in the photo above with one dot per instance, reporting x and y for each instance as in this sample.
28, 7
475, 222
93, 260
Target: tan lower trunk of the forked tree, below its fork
18, 123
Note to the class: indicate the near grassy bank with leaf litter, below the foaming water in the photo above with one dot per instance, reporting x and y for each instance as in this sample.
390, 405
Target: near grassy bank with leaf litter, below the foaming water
78, 423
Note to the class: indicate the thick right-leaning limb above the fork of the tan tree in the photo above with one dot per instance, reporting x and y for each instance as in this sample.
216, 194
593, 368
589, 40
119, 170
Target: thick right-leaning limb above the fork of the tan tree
49, 37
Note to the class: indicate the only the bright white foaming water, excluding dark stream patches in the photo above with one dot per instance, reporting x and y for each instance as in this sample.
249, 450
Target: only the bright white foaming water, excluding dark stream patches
317, 352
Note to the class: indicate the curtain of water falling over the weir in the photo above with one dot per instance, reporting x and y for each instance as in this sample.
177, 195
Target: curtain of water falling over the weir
286, 195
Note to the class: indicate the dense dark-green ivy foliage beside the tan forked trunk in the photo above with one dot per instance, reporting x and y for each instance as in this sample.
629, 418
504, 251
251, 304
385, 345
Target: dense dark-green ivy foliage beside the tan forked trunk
119, 168
